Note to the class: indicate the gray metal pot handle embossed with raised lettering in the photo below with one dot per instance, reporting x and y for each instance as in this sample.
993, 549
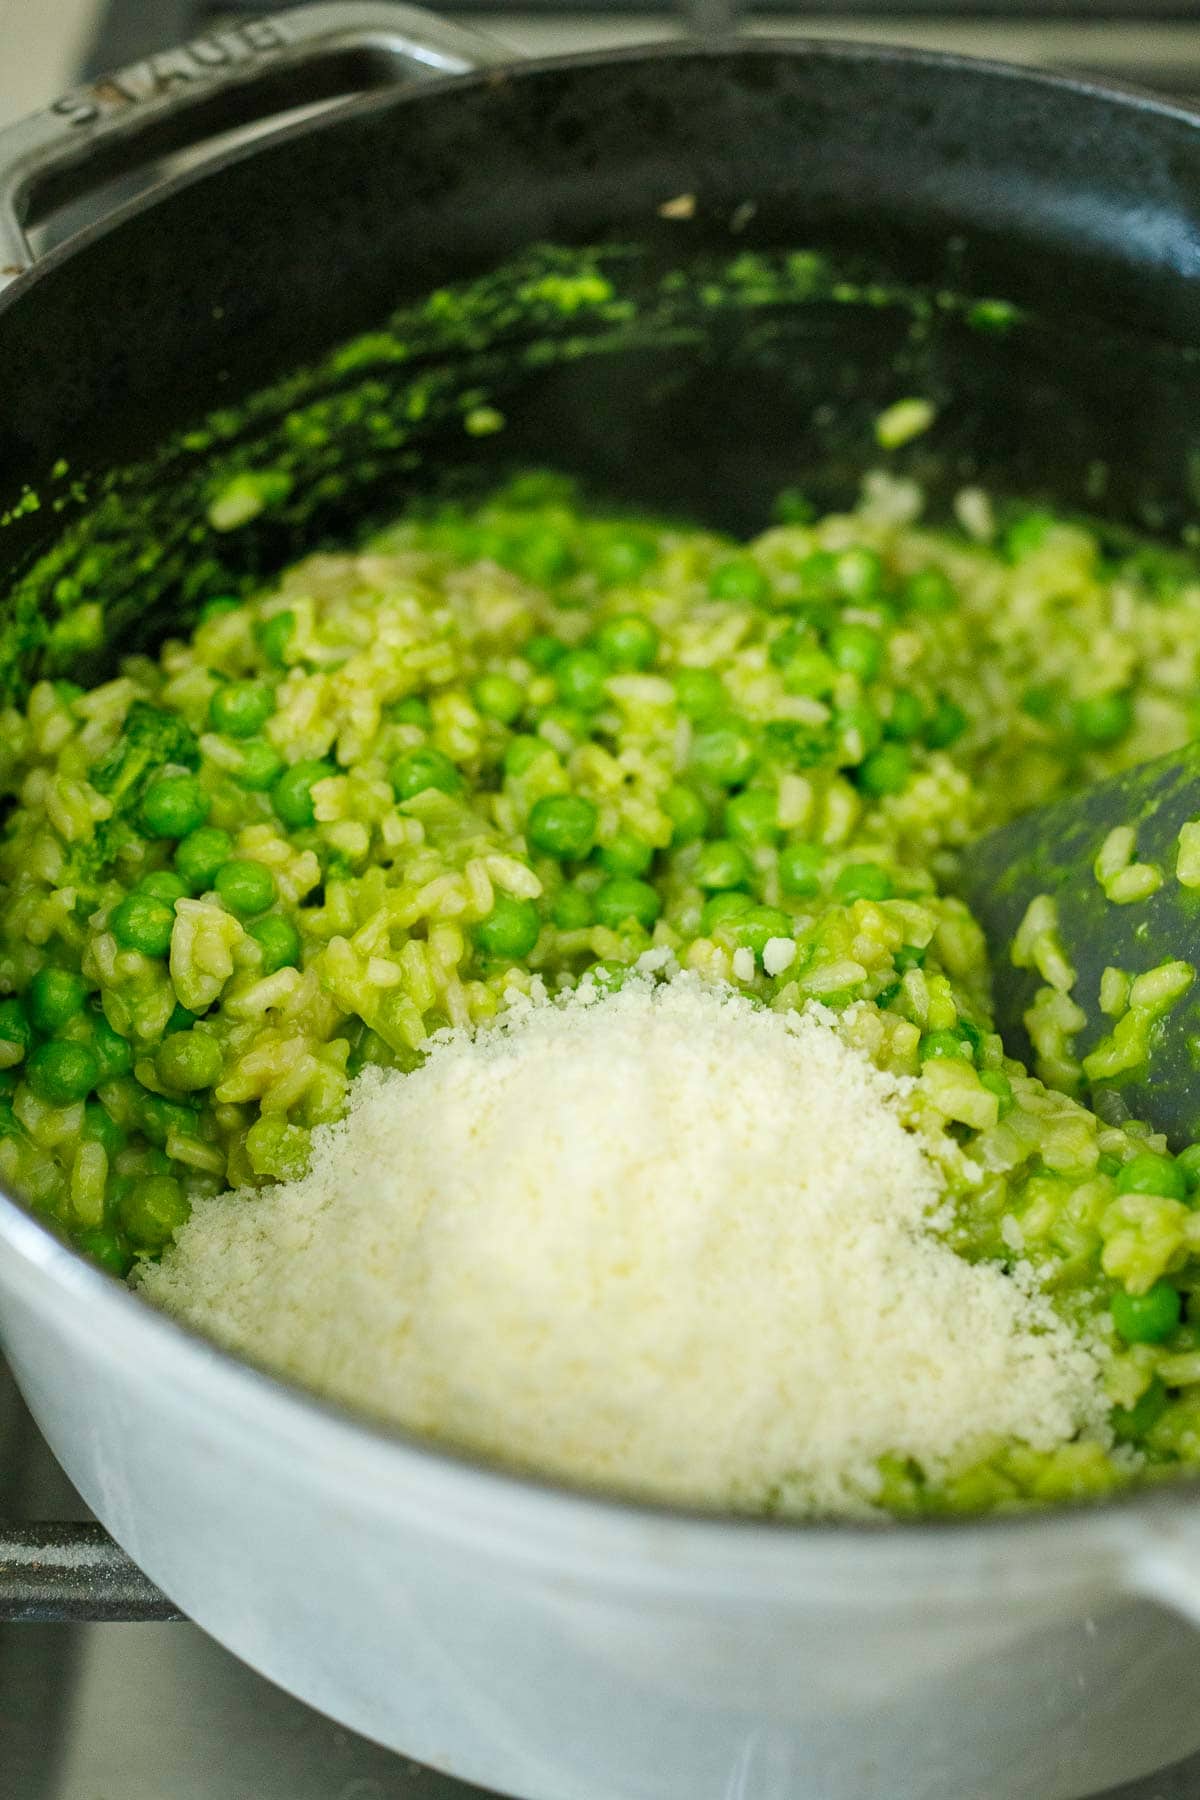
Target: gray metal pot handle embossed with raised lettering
235, 76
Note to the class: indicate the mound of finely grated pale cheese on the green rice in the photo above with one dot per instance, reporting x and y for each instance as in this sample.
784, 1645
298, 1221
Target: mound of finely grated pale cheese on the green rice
665, 1241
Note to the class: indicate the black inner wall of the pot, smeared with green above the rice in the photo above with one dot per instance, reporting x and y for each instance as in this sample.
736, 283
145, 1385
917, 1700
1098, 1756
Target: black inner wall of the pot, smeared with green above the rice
688, 278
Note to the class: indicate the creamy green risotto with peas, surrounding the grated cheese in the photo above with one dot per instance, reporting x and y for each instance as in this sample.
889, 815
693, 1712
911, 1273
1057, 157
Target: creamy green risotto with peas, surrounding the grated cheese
528, 741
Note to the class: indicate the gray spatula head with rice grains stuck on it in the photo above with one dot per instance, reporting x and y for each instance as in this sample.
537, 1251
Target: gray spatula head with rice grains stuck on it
1147, 1066
